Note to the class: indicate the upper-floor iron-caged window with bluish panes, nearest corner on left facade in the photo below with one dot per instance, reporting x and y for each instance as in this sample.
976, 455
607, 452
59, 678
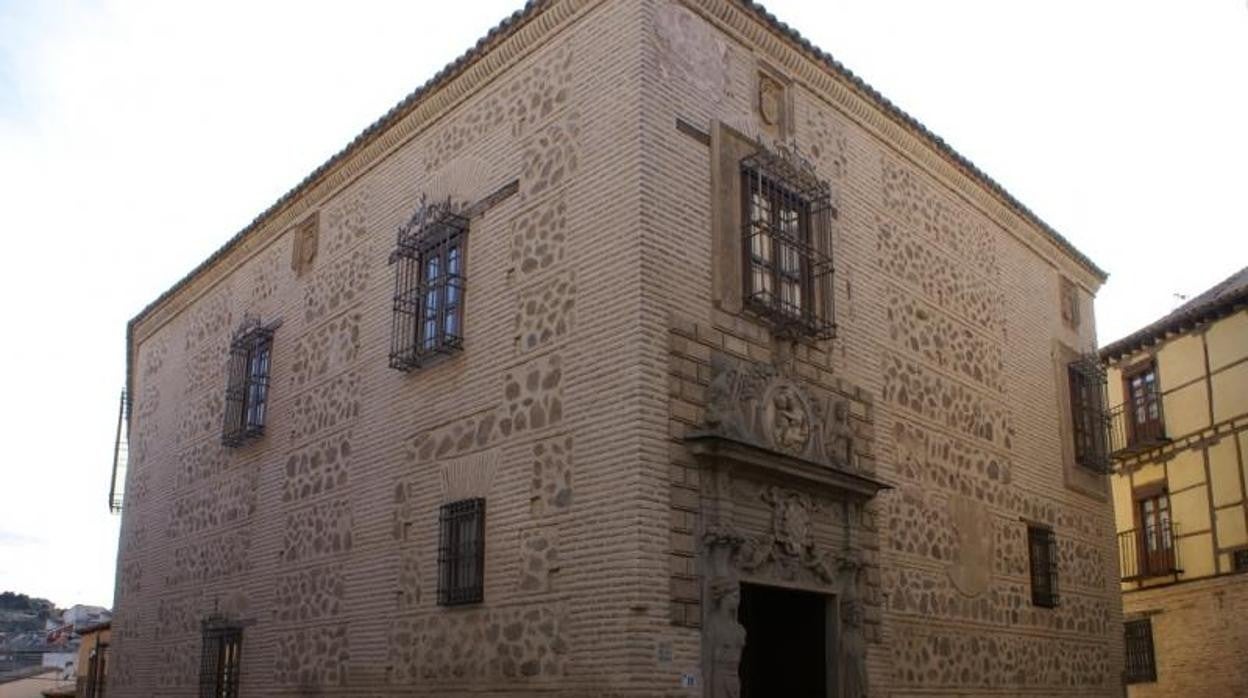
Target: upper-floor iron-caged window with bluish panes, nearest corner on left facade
429, 287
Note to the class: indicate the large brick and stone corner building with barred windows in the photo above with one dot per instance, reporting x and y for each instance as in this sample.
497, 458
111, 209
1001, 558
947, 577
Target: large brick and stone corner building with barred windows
645, 351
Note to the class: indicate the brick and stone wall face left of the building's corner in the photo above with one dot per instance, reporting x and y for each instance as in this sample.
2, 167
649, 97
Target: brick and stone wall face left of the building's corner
321, 538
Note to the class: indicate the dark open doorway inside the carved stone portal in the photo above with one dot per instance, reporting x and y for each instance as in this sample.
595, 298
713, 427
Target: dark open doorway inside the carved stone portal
789, 650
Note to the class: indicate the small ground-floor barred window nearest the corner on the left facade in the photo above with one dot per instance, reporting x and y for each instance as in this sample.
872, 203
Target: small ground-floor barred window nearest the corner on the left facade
462, 553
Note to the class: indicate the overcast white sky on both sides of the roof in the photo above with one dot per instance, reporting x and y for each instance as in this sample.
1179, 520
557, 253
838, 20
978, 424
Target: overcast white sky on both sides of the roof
137, 138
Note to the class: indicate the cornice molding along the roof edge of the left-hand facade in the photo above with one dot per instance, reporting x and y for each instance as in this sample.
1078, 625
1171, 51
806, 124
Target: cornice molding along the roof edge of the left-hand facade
451, 87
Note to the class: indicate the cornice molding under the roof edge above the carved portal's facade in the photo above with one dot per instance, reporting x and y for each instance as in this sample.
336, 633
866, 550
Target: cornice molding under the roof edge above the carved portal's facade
843, 93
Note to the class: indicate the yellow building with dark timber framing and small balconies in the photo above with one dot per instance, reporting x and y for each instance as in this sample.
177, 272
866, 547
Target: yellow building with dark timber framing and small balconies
1179, 436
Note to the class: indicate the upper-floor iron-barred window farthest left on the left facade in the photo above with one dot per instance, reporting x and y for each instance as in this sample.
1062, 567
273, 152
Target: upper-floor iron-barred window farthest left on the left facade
248, 389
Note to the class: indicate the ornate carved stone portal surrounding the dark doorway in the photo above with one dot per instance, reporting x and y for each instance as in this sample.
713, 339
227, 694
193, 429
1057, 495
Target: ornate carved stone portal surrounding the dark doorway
776, 450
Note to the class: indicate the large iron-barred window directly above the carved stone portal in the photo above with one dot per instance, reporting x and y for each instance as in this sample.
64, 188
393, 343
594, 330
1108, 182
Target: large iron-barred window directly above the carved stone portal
787, 217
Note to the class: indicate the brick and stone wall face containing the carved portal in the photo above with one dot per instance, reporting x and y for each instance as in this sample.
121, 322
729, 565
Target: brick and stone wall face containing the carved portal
950, 315
